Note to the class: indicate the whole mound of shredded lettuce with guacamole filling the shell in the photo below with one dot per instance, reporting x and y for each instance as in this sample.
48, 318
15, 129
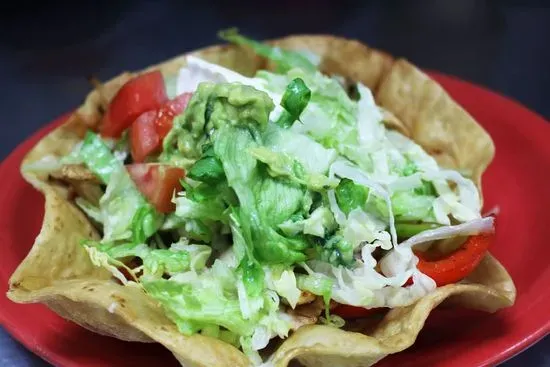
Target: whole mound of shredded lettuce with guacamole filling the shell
291, 186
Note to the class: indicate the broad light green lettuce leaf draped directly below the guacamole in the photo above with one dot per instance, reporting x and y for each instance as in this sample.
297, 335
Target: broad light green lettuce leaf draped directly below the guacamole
264, 201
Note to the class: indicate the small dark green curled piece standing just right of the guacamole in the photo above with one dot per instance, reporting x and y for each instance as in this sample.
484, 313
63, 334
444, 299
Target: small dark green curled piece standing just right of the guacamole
294, 101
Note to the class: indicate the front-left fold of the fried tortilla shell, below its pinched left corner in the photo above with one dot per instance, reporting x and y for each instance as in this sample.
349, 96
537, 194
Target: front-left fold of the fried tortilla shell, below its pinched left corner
58, 272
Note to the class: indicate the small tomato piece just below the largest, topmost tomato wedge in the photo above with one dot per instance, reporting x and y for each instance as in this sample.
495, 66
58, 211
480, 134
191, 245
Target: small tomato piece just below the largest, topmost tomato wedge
144, 139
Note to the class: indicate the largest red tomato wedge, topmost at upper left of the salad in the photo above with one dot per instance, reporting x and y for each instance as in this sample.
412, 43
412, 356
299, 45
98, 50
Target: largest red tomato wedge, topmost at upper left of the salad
144, 93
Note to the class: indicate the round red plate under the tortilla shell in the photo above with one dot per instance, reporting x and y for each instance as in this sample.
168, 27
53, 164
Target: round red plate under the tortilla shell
516, 181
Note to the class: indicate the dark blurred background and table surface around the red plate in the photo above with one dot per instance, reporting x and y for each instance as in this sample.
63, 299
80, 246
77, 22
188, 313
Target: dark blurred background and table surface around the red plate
48, 48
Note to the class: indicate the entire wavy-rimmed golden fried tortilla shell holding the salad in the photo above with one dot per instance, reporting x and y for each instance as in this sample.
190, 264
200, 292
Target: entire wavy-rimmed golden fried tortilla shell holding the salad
58, 272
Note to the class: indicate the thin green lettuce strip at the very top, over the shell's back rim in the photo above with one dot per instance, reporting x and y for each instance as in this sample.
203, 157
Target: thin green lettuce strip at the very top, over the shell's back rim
285, 59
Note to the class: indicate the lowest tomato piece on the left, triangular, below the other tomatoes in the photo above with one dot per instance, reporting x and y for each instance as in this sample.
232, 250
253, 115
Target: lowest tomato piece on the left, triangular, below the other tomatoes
157, 182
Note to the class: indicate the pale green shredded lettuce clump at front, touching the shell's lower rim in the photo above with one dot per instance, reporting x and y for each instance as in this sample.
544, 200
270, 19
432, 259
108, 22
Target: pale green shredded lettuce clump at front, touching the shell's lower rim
212, 299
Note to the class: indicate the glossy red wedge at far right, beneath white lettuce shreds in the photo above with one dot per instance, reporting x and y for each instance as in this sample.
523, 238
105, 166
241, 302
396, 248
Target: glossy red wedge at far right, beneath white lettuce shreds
458, 264
